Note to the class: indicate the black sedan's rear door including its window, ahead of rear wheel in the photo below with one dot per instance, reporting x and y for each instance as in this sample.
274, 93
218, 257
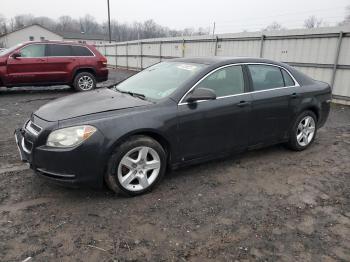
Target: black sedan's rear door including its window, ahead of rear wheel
272, 92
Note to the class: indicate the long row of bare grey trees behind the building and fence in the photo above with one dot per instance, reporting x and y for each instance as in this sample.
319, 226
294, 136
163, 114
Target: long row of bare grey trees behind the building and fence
89, 25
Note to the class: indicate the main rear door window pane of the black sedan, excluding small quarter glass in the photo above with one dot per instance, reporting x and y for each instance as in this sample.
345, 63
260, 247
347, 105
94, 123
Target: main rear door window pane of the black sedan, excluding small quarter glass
265, 77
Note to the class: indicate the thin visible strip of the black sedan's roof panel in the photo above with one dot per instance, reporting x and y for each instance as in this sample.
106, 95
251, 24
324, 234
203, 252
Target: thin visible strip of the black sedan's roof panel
220, 60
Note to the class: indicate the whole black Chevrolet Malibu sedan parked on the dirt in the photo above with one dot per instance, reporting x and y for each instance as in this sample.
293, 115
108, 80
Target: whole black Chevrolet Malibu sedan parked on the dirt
172, 114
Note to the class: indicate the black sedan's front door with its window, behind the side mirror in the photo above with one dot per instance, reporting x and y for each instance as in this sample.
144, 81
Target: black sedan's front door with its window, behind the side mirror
216, 126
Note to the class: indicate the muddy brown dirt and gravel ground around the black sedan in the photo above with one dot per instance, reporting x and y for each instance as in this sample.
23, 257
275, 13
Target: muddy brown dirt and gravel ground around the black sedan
267, 205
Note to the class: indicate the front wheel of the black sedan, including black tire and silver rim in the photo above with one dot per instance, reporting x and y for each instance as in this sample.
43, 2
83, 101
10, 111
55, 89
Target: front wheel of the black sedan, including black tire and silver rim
136, 167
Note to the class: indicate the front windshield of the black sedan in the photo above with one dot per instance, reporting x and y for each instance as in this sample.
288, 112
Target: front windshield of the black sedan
160, 80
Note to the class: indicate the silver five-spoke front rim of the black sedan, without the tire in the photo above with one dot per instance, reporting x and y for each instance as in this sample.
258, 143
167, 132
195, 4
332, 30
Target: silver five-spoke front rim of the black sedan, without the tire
139, 168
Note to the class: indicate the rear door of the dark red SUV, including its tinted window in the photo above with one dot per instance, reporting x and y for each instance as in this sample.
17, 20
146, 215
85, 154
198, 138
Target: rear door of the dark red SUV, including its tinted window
61, 62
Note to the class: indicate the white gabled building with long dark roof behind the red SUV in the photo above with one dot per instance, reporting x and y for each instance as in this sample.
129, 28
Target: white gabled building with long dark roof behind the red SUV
39, 33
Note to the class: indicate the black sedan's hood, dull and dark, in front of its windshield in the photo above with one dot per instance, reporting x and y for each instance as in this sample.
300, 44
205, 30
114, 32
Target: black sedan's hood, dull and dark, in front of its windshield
87, 103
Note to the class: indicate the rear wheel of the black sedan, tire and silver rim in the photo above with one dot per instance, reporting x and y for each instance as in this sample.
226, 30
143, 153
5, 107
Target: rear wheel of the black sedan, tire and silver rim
303, 132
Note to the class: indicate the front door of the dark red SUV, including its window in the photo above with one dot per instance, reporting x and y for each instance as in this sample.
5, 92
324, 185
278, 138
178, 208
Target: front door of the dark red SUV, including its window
30, 67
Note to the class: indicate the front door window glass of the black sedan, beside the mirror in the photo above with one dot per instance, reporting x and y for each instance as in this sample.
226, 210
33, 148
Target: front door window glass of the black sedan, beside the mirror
226, 81
